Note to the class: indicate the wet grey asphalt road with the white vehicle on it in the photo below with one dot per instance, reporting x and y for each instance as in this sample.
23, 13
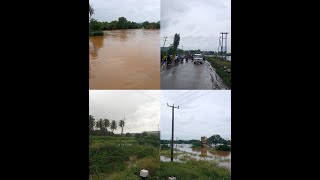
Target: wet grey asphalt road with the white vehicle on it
190, 76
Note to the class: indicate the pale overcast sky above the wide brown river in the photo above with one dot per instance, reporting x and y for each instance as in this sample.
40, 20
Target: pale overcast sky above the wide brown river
133, 10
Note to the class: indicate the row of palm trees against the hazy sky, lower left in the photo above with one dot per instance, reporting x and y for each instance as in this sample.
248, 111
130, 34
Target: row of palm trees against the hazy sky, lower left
103, 125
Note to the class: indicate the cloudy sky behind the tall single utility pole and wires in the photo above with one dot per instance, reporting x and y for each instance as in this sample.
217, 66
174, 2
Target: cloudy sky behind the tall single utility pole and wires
206, 115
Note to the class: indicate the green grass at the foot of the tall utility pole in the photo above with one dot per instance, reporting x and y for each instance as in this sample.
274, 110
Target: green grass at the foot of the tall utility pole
193, 170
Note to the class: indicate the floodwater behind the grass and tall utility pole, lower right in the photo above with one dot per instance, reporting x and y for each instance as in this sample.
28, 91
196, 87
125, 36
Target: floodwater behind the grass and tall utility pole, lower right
223, 158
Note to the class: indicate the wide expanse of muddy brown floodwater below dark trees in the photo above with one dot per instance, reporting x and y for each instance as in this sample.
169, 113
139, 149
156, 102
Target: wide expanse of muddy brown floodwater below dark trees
125, 59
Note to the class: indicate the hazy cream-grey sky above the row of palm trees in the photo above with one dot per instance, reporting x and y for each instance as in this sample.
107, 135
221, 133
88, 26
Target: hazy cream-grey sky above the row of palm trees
141, 108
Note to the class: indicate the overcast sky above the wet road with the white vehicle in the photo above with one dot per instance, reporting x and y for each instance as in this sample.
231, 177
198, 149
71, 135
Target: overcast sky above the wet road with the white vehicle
199, 22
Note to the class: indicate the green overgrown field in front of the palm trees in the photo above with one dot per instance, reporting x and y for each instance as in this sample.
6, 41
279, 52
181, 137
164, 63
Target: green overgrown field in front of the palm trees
109, 159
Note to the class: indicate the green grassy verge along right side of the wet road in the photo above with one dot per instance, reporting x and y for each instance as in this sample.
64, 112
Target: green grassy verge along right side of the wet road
218, 65
